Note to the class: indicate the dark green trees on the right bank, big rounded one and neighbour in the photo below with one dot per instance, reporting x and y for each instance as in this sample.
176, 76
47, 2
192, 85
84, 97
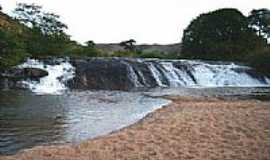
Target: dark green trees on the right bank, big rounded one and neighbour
228, 35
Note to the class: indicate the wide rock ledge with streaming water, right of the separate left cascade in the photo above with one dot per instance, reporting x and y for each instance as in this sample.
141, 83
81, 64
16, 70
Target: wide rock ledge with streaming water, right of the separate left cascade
129, 74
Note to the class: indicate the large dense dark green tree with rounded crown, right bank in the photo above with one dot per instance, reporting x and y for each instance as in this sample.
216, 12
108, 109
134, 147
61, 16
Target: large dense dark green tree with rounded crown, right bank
219, 35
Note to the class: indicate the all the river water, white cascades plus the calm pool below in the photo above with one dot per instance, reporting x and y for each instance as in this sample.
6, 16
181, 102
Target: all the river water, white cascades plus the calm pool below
49, 113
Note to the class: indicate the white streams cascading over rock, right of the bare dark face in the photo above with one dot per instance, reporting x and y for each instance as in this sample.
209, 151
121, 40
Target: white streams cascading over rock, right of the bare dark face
194, 74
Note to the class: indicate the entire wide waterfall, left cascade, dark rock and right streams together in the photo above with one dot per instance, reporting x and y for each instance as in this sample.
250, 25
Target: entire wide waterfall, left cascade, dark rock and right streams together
126, 74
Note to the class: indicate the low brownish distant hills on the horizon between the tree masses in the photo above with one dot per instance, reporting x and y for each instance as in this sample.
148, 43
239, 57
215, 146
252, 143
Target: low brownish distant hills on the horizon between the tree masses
145, 48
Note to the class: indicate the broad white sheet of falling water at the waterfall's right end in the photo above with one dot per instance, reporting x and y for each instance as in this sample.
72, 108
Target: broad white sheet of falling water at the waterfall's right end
208, 75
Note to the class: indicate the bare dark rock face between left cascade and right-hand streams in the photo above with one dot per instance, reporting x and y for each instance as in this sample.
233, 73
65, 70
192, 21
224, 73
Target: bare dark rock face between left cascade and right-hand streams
98, 73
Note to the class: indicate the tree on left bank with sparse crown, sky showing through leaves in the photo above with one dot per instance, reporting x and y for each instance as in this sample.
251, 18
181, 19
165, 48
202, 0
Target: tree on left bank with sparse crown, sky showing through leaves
47, 31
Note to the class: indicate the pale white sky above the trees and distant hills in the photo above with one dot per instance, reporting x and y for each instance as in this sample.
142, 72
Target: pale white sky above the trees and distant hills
146, 21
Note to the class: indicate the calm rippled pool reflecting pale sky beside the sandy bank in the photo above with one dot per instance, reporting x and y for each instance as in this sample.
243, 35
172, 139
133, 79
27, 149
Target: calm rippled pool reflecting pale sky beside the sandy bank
27, 120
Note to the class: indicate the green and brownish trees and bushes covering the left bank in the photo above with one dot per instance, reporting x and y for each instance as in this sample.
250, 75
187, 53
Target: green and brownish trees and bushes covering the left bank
32, 32
